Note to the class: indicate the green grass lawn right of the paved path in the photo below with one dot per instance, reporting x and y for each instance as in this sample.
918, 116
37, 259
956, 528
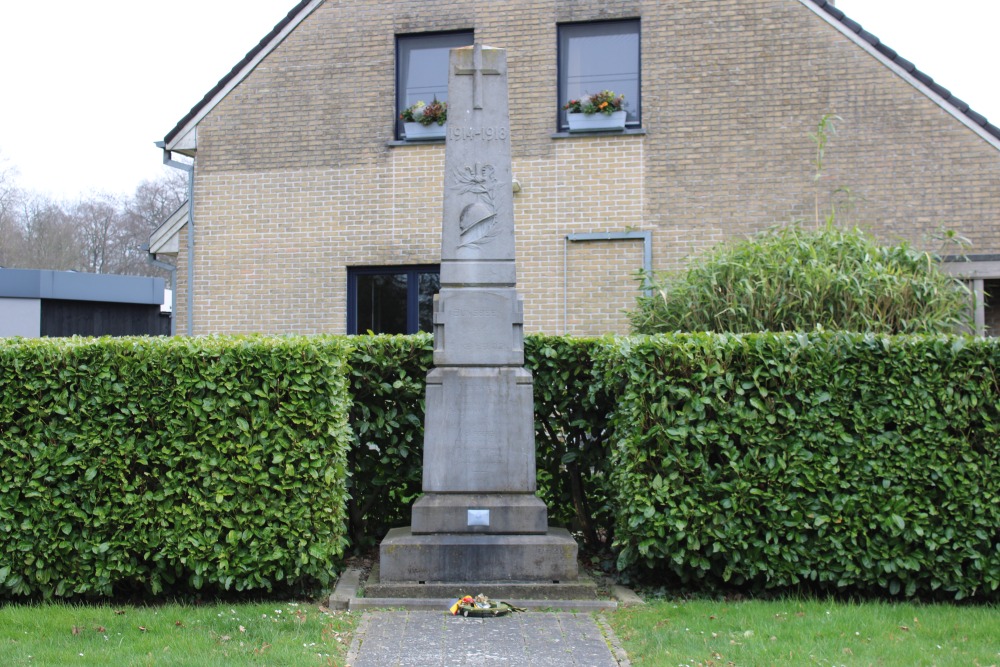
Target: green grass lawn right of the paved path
807, 632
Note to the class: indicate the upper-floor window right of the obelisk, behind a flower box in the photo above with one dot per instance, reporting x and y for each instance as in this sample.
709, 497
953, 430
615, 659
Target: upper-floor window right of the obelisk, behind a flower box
600, 56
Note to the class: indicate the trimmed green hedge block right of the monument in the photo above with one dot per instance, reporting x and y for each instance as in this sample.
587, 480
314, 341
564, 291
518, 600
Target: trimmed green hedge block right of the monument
833, 462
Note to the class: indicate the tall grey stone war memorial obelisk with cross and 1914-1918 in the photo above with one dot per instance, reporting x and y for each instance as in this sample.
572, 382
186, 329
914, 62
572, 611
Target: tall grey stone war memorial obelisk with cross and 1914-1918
479, 519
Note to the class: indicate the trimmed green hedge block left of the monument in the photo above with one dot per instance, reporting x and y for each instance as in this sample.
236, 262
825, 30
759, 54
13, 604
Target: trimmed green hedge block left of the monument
144, 465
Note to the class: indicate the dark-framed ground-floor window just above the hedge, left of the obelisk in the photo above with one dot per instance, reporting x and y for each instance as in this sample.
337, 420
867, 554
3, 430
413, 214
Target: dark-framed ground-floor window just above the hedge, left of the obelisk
396, 299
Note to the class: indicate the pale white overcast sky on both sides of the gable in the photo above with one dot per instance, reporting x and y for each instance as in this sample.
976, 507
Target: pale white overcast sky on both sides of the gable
88, 87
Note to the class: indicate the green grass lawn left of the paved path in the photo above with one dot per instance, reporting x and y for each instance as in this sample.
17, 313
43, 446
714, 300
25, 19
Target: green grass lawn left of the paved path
272, 633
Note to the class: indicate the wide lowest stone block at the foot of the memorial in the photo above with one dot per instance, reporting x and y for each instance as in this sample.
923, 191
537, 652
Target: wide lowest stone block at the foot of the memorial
451, 557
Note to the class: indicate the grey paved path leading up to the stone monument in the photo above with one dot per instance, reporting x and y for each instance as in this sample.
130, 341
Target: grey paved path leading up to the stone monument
423, 638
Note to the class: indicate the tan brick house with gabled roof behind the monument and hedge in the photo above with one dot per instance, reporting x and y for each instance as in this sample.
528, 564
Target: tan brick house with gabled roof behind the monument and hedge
311, 212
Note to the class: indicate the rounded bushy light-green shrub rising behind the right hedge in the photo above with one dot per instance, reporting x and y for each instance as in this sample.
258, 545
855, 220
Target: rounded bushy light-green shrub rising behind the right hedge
795, 279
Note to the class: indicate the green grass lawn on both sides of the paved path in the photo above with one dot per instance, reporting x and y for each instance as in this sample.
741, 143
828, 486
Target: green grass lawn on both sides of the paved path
669, 633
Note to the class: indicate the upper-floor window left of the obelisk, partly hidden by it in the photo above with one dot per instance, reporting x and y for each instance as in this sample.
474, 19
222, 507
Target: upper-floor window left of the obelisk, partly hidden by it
422, 68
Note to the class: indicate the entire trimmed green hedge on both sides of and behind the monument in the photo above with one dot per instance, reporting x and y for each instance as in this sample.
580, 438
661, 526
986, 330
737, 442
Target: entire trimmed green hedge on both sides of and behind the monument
826, 462
